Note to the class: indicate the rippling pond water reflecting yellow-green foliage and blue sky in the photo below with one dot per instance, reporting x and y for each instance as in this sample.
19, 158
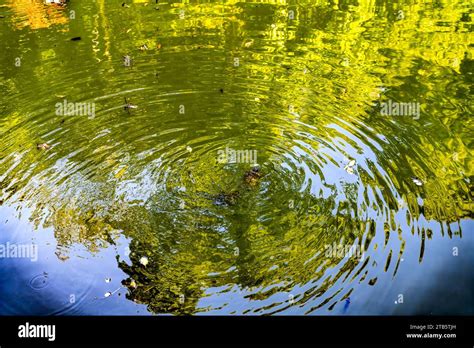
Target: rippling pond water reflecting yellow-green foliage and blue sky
236, 157
